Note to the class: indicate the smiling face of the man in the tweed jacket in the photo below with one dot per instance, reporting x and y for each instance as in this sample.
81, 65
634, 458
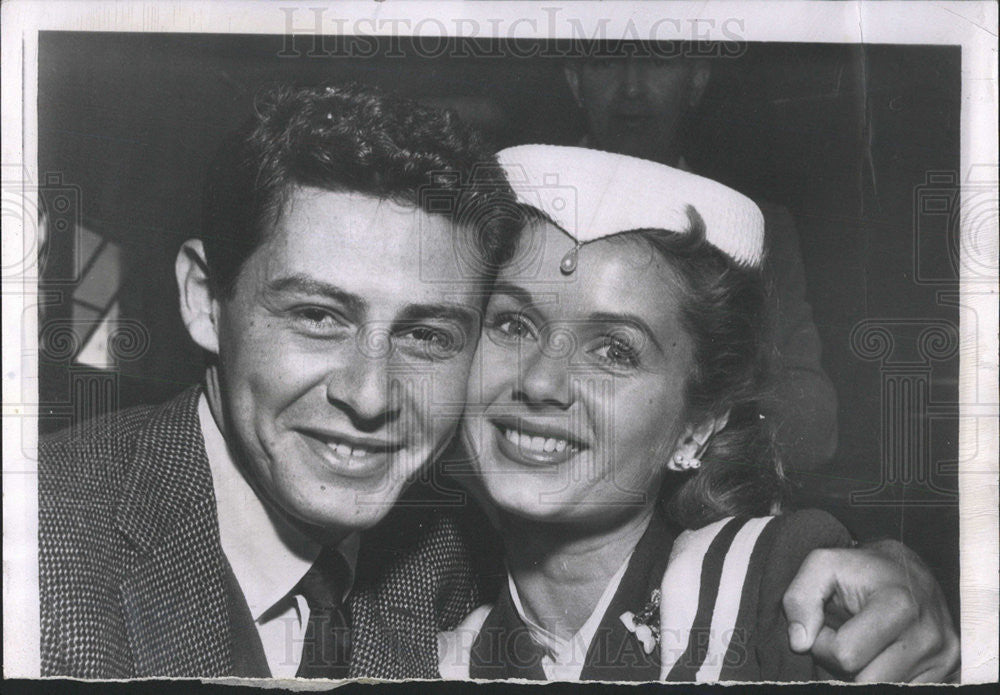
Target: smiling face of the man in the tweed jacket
335, 357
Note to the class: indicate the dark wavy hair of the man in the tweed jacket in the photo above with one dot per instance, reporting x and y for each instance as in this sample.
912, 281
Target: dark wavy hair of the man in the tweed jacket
354, 138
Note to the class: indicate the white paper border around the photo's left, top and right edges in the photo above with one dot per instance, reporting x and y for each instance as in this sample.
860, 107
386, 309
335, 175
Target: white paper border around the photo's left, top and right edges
972, 25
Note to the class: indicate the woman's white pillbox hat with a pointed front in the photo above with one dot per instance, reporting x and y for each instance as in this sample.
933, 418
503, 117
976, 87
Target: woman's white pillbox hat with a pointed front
592, 194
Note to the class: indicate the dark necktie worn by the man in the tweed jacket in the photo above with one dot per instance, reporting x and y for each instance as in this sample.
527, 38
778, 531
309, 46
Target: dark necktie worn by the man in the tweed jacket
326, 649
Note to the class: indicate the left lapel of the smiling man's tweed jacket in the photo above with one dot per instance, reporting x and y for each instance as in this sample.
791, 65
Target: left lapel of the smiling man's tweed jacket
173, 592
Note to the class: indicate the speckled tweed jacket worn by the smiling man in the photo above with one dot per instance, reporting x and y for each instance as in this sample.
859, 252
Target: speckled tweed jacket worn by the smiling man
131, 568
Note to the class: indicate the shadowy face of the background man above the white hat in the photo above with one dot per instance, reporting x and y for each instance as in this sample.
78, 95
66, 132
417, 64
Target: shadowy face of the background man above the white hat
635, 106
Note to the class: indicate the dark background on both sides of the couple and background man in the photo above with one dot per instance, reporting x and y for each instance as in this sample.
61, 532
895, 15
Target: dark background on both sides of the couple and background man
852, 139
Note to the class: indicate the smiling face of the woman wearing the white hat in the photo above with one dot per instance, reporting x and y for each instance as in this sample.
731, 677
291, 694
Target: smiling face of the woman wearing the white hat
576, 400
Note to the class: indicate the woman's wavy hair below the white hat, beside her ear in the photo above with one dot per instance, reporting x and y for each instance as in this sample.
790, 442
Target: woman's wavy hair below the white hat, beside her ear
722, 307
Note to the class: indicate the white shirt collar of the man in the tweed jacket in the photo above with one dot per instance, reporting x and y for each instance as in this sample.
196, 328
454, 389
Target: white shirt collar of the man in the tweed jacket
267, 553
